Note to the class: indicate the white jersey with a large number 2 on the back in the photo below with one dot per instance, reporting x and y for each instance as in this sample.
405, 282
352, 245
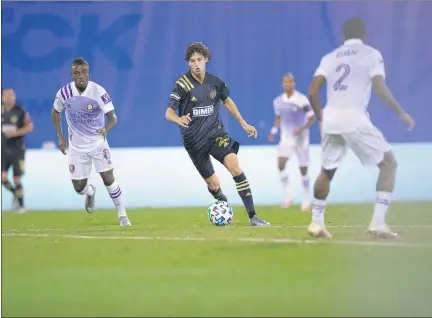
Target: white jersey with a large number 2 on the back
349, 71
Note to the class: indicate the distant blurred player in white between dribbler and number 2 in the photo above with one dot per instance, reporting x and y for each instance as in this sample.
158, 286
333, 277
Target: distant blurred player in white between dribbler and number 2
294, 116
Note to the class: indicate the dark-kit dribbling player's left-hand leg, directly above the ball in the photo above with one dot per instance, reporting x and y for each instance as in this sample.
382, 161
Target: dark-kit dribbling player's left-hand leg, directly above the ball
202, 162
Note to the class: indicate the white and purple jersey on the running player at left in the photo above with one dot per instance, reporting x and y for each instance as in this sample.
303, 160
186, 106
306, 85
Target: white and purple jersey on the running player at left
85, 113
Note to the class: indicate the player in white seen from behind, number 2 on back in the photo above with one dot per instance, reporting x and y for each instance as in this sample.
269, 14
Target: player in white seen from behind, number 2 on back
350, 71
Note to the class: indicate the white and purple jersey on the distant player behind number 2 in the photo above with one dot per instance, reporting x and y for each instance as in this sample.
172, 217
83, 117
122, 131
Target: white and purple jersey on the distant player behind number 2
294, 112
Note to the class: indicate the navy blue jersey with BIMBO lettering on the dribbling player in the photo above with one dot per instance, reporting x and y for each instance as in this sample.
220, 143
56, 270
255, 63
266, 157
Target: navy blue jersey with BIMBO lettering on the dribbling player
202, 102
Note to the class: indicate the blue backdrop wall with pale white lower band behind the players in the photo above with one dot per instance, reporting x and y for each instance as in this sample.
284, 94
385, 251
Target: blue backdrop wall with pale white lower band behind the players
136, 52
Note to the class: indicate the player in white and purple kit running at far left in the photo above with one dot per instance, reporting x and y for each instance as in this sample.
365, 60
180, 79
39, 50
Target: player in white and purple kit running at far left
86, 104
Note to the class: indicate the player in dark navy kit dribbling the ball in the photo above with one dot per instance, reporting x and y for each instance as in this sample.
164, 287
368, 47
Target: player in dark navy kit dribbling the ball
196, 96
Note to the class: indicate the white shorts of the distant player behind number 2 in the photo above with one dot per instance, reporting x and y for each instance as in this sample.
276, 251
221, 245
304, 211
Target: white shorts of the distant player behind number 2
300, 146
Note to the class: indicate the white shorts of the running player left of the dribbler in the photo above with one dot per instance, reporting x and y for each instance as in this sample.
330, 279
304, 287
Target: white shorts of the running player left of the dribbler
80, 162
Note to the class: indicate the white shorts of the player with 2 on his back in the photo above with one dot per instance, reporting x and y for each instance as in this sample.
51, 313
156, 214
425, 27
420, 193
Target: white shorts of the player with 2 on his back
367, 143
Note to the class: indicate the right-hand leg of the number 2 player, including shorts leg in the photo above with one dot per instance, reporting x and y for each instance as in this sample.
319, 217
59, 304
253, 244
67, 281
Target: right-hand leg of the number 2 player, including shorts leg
372, 149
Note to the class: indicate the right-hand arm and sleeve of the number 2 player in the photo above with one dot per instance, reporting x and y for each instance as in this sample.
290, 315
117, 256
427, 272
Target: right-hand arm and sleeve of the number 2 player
383, 92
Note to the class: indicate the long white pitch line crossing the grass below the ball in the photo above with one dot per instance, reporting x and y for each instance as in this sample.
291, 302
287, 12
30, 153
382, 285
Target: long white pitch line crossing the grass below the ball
239, 239
